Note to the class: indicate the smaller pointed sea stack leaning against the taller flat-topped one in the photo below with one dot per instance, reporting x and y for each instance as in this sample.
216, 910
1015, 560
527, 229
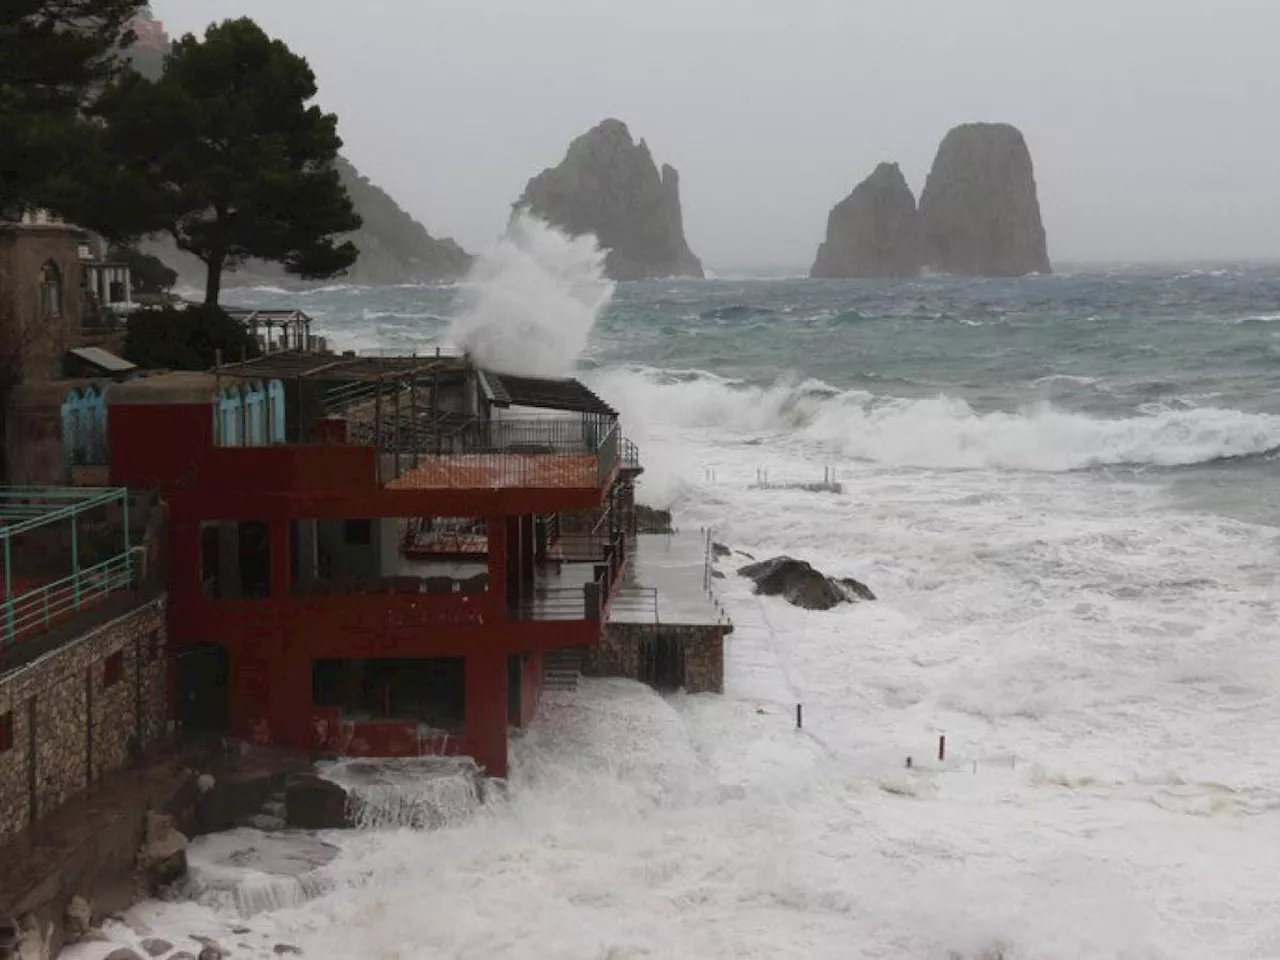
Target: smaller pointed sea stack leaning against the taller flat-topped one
874, 231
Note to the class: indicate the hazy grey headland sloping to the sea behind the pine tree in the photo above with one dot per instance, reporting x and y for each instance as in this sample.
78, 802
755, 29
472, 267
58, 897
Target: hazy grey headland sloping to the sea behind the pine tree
394, 248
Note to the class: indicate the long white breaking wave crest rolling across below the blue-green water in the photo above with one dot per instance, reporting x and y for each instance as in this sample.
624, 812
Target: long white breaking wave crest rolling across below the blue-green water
939, 432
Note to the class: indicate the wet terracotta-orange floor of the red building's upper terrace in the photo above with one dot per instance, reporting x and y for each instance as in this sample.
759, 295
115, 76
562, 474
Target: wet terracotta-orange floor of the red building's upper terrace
502, 470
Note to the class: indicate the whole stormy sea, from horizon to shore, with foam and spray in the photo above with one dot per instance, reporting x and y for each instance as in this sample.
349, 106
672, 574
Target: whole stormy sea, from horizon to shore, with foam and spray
1066, 493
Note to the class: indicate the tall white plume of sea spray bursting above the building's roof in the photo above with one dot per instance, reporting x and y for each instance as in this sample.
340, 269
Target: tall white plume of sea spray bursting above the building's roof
531, 304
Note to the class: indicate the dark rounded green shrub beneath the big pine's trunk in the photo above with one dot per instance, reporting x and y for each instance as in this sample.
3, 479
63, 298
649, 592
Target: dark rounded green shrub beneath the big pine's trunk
186, 340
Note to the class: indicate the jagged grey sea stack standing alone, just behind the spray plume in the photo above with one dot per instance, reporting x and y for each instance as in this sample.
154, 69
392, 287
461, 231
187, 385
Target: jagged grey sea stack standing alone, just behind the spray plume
611, 186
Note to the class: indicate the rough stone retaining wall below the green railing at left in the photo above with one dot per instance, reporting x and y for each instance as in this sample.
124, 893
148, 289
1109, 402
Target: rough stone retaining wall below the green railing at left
80, 714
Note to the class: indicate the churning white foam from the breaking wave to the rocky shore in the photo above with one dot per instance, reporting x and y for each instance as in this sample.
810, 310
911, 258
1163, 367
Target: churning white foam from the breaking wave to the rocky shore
1105, 668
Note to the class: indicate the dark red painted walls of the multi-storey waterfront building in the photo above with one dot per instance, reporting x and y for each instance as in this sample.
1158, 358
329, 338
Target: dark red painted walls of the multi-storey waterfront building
273, 642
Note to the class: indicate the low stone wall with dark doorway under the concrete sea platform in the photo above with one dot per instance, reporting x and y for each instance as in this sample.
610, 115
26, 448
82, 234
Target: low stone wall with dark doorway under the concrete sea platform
700, 647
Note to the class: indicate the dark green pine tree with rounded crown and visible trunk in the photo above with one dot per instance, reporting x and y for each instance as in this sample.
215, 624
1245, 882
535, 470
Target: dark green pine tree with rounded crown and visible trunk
227, 154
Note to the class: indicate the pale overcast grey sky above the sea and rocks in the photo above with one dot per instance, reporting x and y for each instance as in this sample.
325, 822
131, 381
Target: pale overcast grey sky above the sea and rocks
1153, 122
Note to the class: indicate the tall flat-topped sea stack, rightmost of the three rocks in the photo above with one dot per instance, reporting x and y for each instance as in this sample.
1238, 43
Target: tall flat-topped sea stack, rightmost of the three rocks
980, 214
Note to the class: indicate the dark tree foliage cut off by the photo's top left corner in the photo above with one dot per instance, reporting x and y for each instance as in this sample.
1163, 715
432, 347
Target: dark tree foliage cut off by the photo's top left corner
56, 57
